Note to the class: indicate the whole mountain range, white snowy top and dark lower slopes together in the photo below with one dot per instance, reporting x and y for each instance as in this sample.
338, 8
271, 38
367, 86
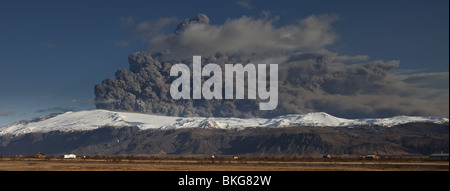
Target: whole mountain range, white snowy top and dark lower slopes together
113, 133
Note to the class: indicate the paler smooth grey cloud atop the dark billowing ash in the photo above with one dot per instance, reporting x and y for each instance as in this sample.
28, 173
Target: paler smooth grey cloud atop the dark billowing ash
245, 36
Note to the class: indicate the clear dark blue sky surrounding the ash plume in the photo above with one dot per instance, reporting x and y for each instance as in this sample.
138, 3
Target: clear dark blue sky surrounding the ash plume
52, 53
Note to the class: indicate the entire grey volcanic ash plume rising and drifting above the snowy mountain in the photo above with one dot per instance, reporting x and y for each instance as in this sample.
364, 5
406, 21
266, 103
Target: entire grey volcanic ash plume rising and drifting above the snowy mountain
311, 78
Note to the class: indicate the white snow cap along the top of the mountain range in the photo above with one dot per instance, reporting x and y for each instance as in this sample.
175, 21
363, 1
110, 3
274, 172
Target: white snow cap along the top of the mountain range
93, 119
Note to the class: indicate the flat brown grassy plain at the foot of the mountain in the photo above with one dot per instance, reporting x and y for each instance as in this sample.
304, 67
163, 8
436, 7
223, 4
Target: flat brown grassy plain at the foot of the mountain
218, 164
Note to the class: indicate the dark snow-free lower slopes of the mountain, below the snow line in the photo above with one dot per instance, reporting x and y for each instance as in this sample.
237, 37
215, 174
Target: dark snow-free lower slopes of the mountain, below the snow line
406, 139
